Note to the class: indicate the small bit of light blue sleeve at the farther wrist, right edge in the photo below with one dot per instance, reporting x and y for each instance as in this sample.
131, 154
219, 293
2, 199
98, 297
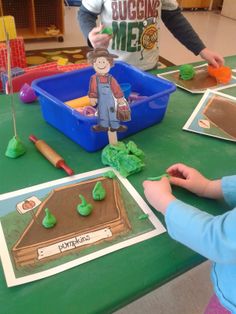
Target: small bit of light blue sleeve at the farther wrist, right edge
229, 190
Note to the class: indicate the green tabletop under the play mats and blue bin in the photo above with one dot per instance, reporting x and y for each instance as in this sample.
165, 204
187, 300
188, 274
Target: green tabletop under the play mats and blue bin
108, 283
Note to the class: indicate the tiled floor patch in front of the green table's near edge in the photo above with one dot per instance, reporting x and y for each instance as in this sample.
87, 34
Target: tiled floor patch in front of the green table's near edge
187, 294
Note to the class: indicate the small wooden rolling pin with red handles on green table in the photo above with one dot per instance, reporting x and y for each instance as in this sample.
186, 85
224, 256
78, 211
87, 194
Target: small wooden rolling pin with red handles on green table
51, 155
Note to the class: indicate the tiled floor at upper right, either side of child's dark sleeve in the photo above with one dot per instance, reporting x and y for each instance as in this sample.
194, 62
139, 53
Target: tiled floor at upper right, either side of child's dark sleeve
215, 30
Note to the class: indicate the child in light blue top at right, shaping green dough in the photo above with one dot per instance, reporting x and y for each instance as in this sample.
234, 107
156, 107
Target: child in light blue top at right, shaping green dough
211, 236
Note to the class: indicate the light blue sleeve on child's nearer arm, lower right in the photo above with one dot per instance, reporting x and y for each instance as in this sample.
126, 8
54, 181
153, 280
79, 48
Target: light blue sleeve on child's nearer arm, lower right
211, 236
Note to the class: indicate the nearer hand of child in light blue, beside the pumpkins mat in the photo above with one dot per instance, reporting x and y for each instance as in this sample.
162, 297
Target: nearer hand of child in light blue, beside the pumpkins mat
158, 194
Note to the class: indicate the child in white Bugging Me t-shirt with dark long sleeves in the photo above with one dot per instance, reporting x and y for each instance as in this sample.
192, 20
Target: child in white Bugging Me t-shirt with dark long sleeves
135, 29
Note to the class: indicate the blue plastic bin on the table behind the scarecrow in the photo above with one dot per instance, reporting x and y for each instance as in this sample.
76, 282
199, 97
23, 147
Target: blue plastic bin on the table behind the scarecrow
54, 91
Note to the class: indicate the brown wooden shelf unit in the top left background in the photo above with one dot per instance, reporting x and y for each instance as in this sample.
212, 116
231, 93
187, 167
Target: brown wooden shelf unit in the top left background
33, 17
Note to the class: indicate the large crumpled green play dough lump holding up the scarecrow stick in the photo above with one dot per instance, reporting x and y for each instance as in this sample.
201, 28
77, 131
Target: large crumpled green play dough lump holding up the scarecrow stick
125, 158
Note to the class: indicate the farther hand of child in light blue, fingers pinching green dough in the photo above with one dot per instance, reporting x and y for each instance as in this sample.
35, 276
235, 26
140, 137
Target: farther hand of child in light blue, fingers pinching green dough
194, 181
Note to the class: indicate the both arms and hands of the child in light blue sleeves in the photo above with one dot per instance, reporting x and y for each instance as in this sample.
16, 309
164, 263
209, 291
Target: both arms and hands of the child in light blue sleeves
213, 237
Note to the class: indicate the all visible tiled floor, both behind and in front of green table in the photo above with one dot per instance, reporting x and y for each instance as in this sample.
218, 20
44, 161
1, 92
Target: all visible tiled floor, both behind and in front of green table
189, 293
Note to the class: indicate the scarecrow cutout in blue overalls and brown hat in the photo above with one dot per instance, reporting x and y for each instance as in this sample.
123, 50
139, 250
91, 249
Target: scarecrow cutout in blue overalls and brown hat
105, 92
